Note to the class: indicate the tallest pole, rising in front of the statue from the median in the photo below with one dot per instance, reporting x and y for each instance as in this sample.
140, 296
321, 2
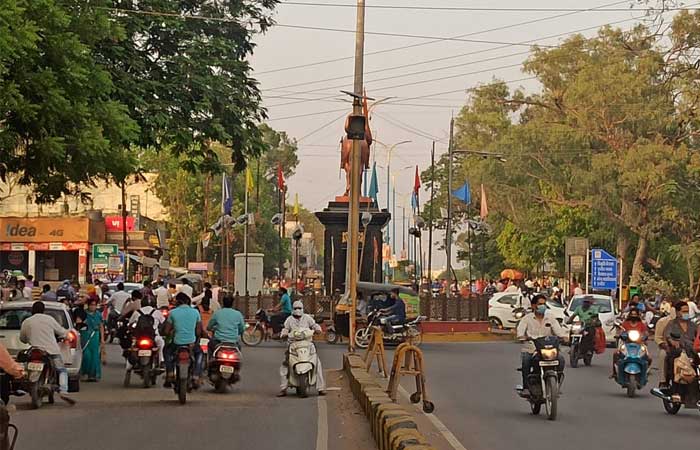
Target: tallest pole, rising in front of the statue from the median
354, 207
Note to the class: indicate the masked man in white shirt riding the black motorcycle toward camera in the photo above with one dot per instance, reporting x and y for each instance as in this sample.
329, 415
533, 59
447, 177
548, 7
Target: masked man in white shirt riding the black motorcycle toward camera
536, 325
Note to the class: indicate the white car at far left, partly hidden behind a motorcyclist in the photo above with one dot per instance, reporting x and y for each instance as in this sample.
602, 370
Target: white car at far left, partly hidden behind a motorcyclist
12, 314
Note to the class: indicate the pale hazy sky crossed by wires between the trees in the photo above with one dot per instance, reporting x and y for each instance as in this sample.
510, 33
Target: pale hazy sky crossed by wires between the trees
426, 82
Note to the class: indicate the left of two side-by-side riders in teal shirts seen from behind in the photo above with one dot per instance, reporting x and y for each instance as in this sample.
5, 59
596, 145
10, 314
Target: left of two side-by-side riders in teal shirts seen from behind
184, 325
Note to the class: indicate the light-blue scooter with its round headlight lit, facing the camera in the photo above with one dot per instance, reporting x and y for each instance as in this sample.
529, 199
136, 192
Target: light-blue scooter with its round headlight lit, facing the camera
632, 367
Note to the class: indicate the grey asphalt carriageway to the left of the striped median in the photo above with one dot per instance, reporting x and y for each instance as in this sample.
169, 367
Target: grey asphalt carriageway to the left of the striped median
110, 417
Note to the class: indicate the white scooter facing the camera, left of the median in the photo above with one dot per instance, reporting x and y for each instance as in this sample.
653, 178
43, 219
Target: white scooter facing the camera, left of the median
302, 361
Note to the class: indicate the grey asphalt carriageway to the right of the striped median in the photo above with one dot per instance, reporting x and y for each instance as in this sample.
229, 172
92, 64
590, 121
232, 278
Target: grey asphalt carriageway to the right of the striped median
472, 388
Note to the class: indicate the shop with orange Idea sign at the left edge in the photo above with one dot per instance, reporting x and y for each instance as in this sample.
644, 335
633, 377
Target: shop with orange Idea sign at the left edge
50, 248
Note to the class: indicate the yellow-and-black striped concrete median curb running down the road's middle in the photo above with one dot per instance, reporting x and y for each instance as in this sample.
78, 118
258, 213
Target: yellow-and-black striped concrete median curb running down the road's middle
393, 426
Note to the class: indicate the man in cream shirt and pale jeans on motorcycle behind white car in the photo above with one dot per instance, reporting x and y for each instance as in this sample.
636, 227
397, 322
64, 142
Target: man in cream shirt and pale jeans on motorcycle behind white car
41, 330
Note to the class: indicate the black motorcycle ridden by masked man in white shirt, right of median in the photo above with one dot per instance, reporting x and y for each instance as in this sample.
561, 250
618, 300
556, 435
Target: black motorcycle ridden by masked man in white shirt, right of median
544, 379
